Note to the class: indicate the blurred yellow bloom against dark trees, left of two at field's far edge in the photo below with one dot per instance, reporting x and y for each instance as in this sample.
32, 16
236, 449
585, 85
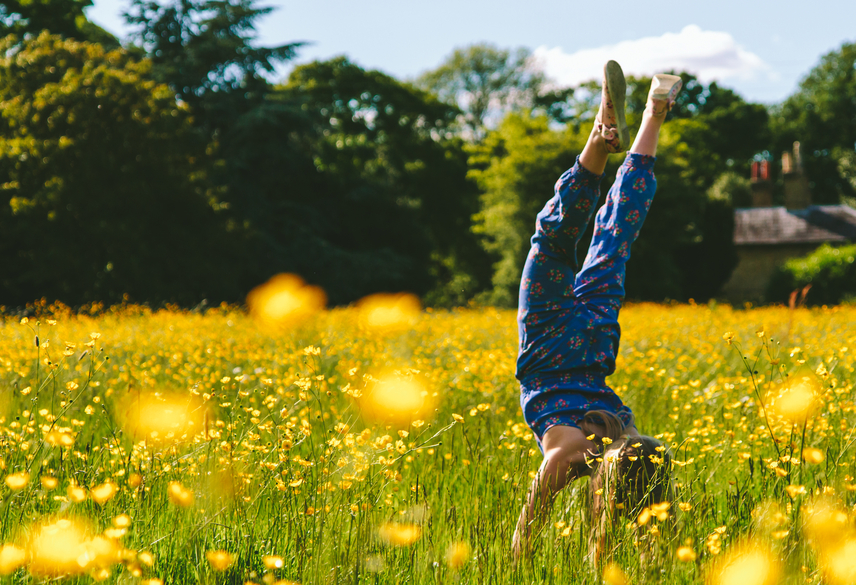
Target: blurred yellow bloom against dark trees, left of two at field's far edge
284, 301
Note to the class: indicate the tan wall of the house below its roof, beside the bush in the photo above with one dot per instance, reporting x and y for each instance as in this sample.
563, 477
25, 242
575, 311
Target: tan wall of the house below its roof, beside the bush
755, 267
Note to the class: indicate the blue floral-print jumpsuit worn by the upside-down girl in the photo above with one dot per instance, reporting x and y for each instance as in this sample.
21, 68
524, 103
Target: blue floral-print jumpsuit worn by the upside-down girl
568, 316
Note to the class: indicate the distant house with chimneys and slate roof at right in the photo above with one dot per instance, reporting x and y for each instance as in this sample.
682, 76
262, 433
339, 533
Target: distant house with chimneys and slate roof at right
766, 236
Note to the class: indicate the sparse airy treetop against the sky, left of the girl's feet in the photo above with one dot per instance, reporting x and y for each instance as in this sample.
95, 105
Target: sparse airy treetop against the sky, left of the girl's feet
484, 81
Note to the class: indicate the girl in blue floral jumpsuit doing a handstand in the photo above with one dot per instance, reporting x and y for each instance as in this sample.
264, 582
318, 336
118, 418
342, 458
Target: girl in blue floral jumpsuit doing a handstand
568, 315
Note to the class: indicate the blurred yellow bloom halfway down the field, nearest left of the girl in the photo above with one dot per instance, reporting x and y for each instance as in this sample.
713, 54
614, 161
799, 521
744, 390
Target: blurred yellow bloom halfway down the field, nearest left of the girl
398, 397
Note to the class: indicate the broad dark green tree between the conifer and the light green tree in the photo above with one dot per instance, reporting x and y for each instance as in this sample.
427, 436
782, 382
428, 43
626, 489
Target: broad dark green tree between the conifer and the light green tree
382, 202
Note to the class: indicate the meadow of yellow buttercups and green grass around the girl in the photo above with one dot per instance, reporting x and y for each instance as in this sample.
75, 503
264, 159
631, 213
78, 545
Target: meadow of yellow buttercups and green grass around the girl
384, 444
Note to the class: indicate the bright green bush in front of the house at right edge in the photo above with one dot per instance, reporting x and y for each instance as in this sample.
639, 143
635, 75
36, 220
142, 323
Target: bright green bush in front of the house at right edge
831, 272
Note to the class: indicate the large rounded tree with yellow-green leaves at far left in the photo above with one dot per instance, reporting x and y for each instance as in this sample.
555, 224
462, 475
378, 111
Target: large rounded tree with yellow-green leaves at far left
103, 192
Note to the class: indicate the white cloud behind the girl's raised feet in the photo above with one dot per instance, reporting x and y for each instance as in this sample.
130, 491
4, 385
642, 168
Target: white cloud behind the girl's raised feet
710, 55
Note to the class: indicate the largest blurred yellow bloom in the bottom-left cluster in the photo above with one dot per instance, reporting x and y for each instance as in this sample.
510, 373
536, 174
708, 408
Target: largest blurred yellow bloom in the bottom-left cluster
54, 549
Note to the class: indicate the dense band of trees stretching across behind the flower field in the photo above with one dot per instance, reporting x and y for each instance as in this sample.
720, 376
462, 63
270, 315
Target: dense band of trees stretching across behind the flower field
171, 169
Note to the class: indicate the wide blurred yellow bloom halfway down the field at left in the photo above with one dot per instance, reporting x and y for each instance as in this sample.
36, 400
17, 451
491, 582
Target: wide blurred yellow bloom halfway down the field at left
162, 418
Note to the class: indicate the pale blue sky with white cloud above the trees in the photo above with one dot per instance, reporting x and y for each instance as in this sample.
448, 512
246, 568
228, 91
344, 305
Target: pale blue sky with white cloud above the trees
761, 49
